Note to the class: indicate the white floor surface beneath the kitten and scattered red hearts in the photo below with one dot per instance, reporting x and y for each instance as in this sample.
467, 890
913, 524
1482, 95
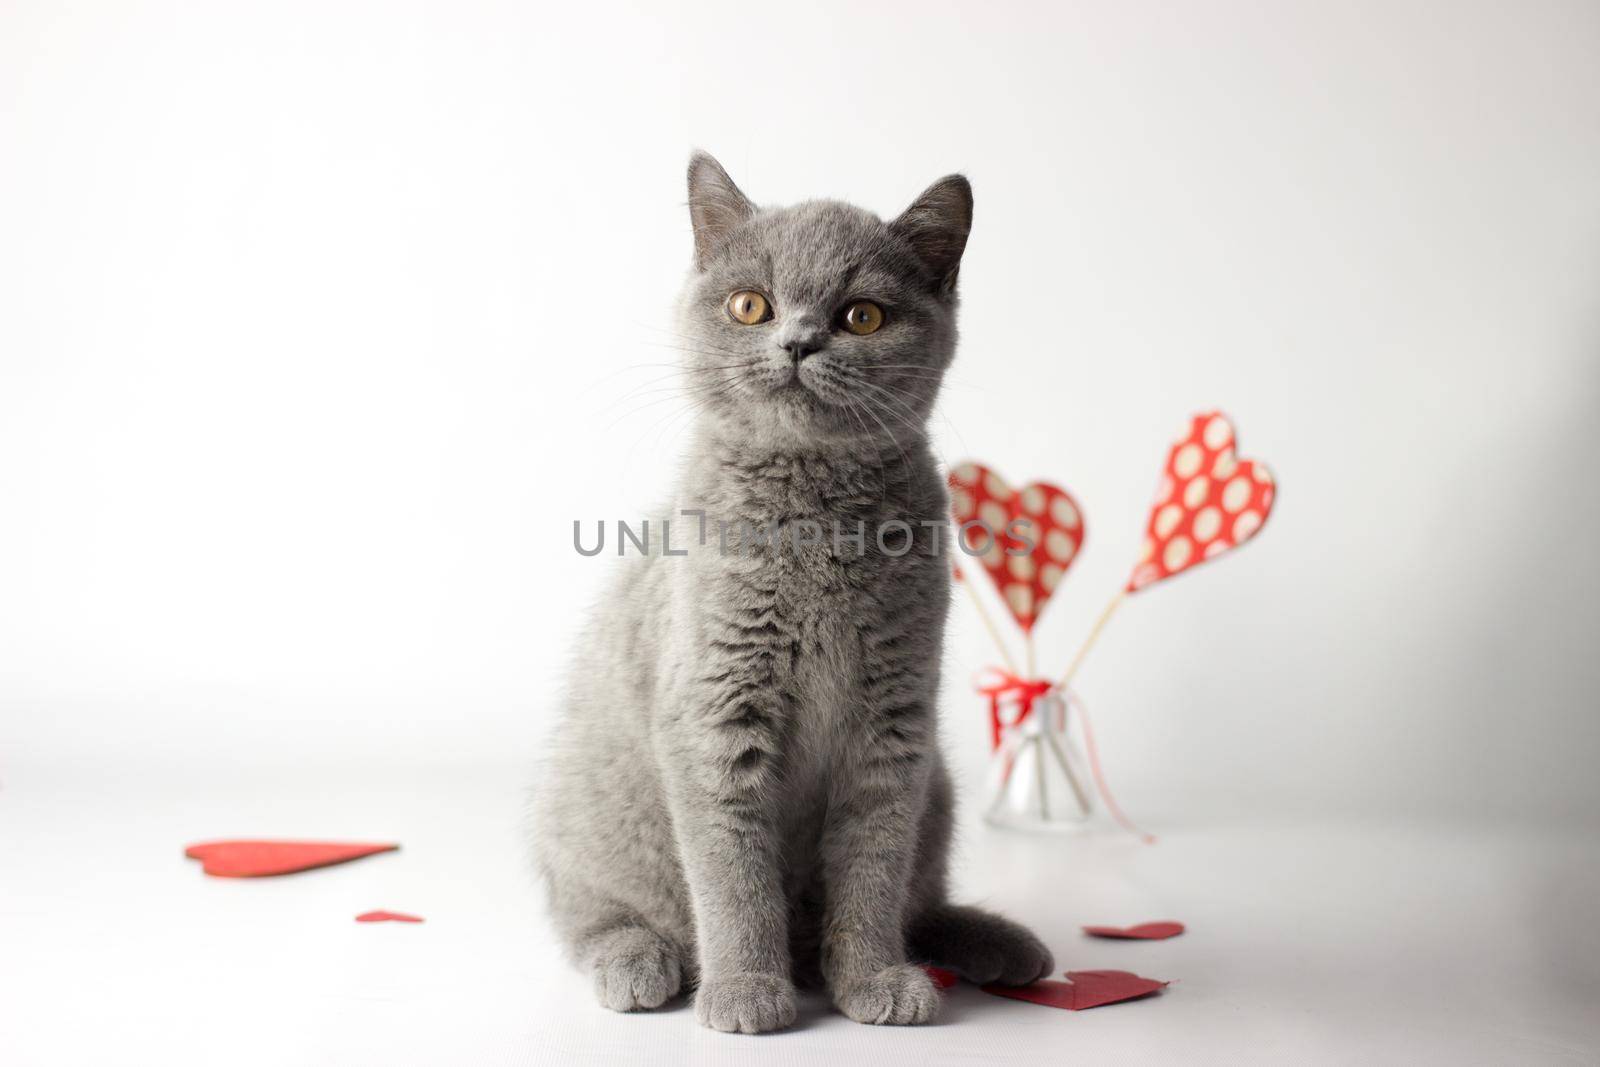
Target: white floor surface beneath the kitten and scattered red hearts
1310, 941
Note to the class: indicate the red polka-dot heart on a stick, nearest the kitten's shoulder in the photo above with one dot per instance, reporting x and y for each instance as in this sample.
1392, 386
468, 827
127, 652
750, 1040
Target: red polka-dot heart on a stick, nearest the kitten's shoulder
1042, 514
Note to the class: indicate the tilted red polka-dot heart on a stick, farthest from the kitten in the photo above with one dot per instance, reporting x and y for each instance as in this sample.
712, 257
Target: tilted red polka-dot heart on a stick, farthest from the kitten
1209, 502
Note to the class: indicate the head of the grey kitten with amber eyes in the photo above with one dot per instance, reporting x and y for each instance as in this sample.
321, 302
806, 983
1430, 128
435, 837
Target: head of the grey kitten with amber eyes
820, 322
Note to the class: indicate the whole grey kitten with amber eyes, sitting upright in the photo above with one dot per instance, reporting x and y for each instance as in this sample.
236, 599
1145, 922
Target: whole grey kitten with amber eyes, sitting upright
746, 788
